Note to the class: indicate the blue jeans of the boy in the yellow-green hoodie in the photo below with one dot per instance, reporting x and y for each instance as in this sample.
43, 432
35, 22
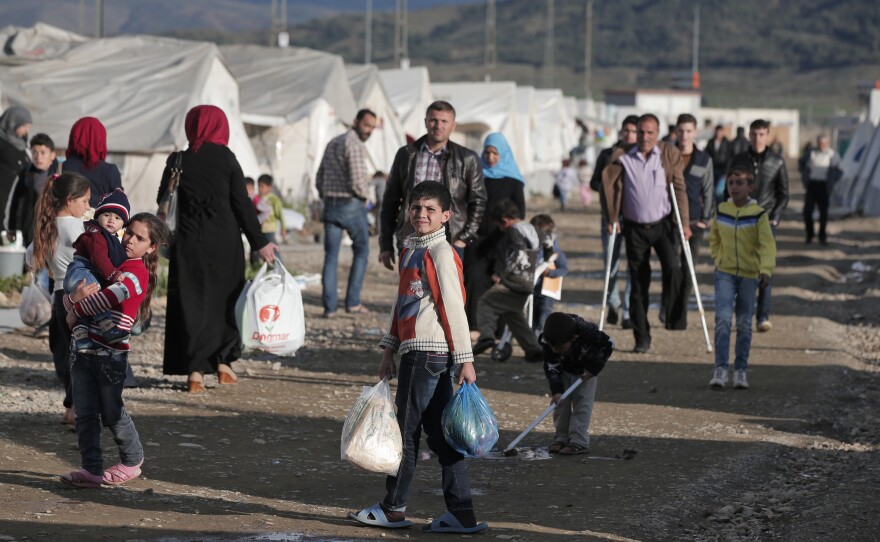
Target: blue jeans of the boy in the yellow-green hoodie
737, 294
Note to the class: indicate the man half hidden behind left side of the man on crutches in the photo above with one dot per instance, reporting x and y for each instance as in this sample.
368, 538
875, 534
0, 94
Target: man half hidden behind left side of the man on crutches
617, 306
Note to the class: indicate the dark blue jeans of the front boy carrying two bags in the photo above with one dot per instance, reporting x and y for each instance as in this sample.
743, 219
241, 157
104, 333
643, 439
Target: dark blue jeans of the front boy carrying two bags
424, 387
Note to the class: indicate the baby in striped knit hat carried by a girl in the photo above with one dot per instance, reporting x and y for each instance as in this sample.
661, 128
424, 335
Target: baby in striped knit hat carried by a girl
96, 260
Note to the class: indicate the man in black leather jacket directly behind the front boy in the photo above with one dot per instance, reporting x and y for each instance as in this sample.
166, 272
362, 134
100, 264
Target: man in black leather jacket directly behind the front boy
433, 158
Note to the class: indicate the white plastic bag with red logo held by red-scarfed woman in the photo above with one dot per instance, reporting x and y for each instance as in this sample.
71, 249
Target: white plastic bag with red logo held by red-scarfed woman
269, 312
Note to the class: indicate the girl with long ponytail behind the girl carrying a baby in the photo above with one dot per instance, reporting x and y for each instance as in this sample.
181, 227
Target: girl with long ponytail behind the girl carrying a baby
59, 221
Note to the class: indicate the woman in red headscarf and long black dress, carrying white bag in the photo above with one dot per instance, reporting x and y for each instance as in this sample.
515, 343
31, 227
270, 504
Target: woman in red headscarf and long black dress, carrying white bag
207, 257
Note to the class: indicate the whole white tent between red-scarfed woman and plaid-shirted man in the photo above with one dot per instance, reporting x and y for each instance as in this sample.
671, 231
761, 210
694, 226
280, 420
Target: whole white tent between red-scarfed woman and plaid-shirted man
294, 101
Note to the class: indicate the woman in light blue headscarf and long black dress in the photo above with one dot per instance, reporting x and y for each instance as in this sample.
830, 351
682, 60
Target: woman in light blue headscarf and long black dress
503, 182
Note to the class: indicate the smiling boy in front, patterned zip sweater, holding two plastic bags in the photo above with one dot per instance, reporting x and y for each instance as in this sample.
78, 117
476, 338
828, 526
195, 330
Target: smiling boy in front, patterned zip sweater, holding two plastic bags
429, 330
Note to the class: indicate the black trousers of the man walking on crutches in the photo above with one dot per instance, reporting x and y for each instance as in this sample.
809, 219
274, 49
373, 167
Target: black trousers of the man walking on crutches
640, 239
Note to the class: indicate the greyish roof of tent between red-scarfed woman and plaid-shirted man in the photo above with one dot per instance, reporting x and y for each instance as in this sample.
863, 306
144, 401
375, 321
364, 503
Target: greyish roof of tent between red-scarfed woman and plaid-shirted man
281, 85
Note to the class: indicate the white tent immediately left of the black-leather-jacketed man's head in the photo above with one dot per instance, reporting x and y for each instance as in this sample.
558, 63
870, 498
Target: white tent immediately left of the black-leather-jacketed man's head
410, 93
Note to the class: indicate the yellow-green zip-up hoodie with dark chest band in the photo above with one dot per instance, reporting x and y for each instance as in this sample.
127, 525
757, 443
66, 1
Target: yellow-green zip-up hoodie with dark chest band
741, 240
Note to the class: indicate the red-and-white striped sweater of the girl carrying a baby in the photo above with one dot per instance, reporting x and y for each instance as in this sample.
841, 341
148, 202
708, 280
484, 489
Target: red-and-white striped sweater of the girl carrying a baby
122, 299
